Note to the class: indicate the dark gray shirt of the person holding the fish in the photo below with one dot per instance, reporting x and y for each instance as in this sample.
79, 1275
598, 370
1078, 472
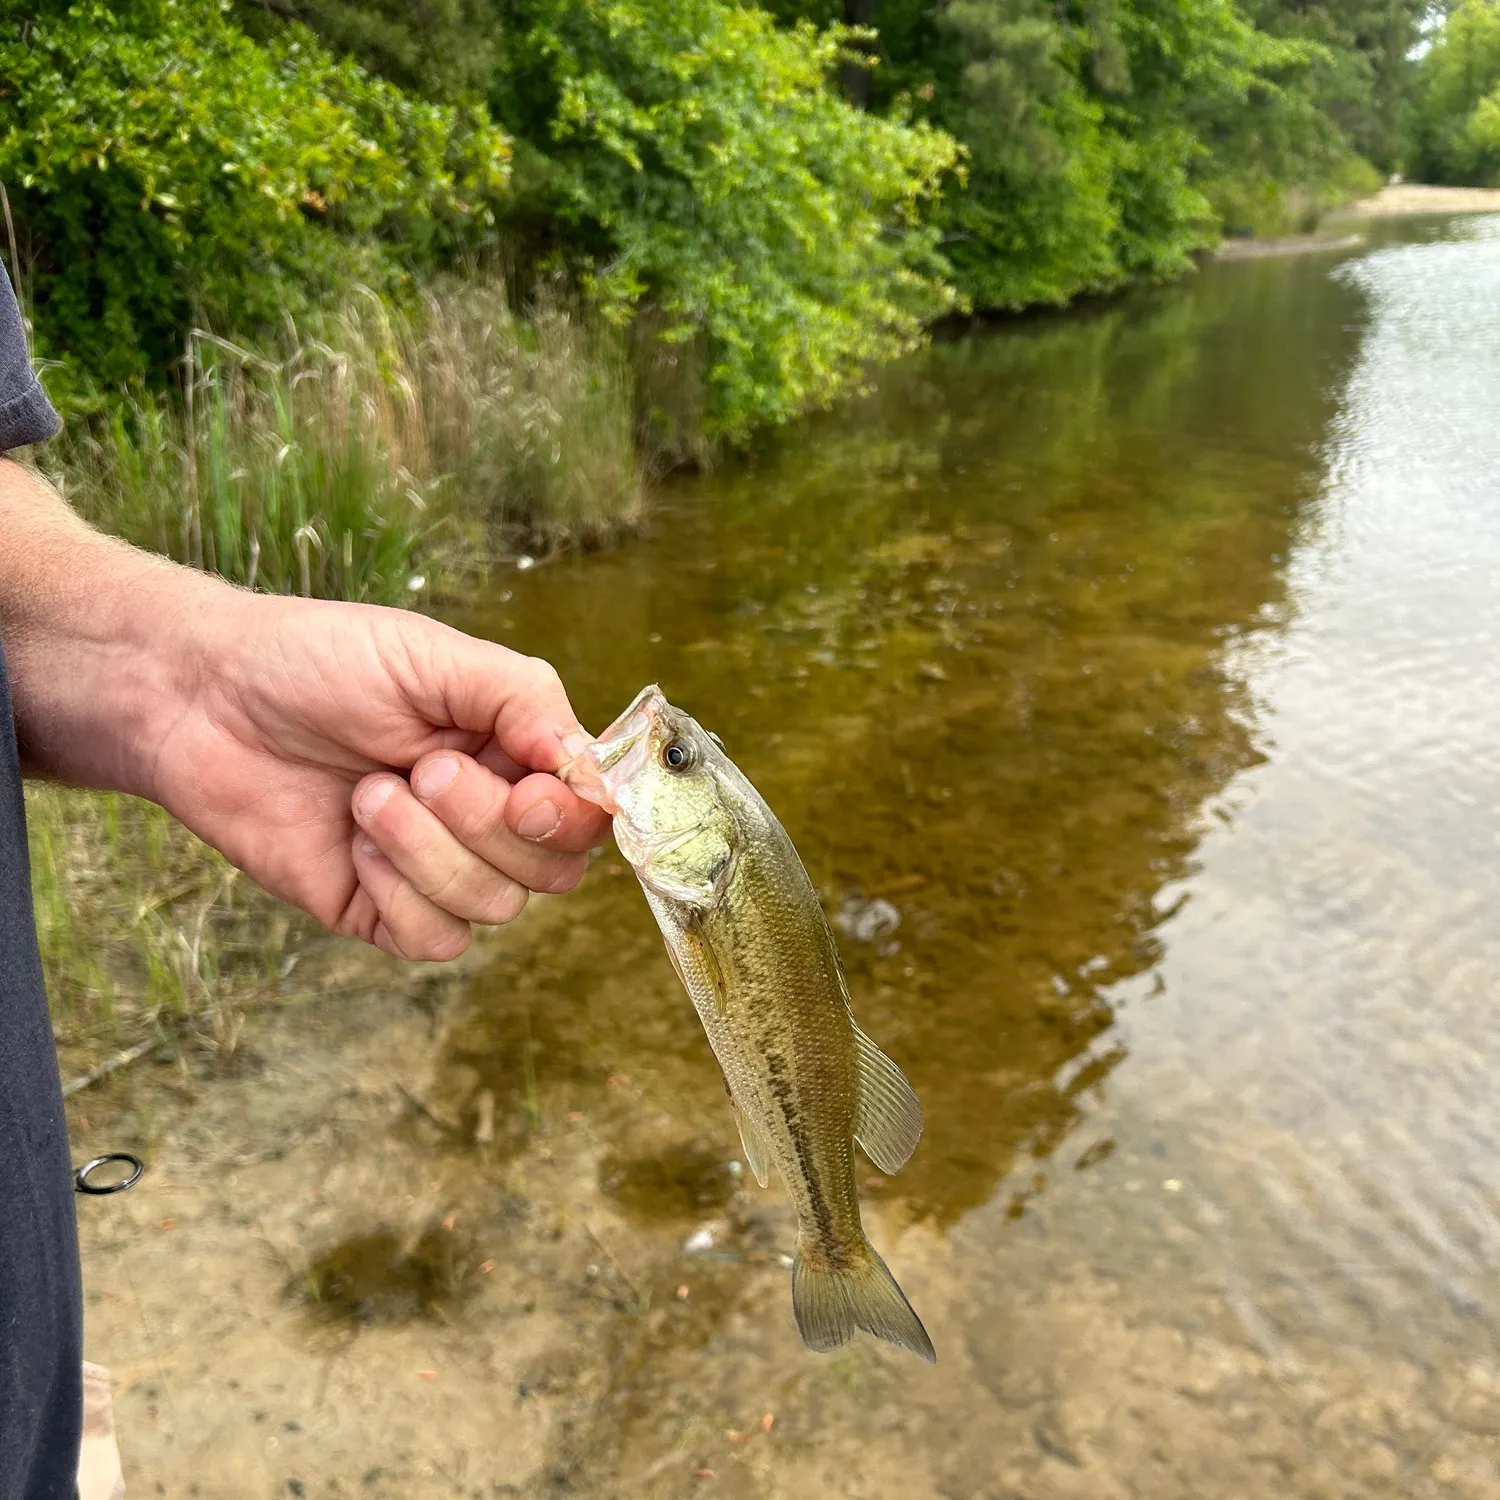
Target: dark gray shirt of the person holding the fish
41, 1313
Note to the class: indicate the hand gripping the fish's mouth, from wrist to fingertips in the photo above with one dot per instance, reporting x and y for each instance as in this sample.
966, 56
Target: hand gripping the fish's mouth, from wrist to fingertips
386, 773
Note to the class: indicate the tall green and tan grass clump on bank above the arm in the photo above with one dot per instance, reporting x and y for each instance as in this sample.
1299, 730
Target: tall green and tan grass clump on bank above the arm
367, 454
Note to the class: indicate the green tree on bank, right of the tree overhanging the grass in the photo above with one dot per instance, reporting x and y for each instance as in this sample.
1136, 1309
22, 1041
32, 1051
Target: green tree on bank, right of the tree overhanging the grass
1091, 136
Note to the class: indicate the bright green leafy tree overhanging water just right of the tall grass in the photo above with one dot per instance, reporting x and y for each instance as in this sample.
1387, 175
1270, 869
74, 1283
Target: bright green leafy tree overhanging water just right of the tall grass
700, 155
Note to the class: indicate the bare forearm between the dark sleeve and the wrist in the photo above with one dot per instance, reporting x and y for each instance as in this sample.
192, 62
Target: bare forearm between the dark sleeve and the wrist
98, 638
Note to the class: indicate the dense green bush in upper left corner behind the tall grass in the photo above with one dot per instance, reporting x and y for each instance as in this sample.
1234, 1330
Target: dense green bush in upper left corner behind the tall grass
164, 169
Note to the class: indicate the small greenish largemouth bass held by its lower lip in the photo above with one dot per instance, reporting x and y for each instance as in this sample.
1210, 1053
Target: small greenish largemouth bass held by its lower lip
749, 940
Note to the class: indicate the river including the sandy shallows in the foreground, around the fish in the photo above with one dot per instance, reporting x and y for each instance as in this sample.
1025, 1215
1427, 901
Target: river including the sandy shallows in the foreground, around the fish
1144, 662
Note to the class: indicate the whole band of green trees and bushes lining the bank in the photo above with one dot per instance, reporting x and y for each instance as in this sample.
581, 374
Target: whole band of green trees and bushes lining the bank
698, 167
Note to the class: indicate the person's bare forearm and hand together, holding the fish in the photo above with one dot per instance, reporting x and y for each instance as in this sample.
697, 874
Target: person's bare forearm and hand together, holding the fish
383, 772
